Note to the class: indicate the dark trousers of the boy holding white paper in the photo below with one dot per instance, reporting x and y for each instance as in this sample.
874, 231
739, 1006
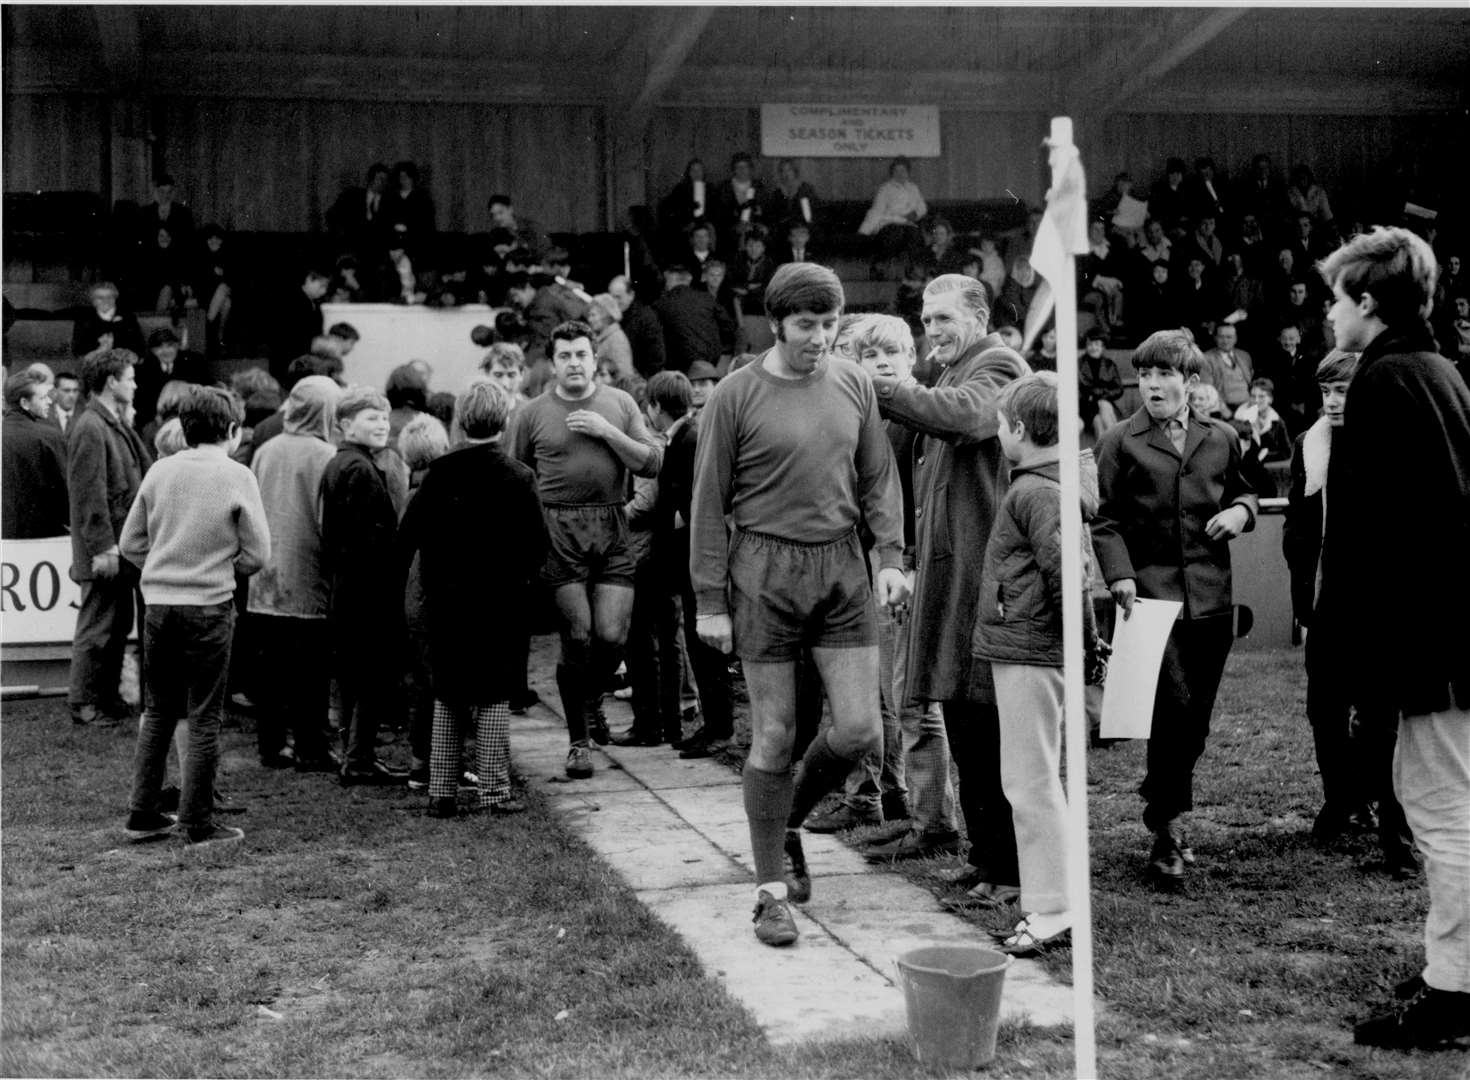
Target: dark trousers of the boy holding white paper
1188, 683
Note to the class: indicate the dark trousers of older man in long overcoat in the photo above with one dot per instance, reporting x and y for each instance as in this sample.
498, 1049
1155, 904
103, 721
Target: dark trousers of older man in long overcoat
974, 731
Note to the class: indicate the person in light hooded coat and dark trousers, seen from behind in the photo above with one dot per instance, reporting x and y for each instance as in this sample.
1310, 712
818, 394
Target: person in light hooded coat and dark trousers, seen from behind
289, 599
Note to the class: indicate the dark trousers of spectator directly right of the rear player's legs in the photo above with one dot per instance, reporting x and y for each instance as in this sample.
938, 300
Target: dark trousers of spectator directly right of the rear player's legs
655, 671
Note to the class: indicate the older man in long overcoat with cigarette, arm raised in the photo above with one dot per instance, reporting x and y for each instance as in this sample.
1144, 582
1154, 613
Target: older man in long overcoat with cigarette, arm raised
959, 478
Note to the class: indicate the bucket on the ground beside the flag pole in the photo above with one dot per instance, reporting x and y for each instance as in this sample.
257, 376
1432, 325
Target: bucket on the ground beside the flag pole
953, 997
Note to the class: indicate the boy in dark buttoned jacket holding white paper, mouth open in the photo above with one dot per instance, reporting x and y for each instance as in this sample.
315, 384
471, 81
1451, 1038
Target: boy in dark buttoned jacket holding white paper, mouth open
1172, 500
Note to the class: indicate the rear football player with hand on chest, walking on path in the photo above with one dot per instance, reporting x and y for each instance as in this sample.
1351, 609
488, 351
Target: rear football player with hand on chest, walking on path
583, 442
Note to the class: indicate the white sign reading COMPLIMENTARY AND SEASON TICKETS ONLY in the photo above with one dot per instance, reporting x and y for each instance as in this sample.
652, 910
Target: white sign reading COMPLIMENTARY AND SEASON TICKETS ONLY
849, 130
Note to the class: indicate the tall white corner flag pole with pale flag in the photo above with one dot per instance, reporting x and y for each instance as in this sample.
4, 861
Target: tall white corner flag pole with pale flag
1062, 237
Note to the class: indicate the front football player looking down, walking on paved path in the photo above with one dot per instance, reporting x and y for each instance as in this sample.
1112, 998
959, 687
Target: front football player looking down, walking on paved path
780, 572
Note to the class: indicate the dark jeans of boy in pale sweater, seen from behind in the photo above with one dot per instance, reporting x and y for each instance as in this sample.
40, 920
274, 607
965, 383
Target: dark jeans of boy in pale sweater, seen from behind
186, 677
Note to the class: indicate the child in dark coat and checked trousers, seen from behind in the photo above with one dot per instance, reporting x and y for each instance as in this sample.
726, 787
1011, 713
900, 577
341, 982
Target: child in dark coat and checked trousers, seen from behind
476, 508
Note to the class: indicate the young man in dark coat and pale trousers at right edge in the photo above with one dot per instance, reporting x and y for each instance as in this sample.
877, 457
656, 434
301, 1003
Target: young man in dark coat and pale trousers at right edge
1400, 490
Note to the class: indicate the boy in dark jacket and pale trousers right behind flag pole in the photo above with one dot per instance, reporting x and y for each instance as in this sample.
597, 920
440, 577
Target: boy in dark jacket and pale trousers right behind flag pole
1019, 633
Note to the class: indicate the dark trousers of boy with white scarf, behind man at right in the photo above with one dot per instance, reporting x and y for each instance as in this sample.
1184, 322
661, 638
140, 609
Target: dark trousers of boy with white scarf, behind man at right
1355, 747
